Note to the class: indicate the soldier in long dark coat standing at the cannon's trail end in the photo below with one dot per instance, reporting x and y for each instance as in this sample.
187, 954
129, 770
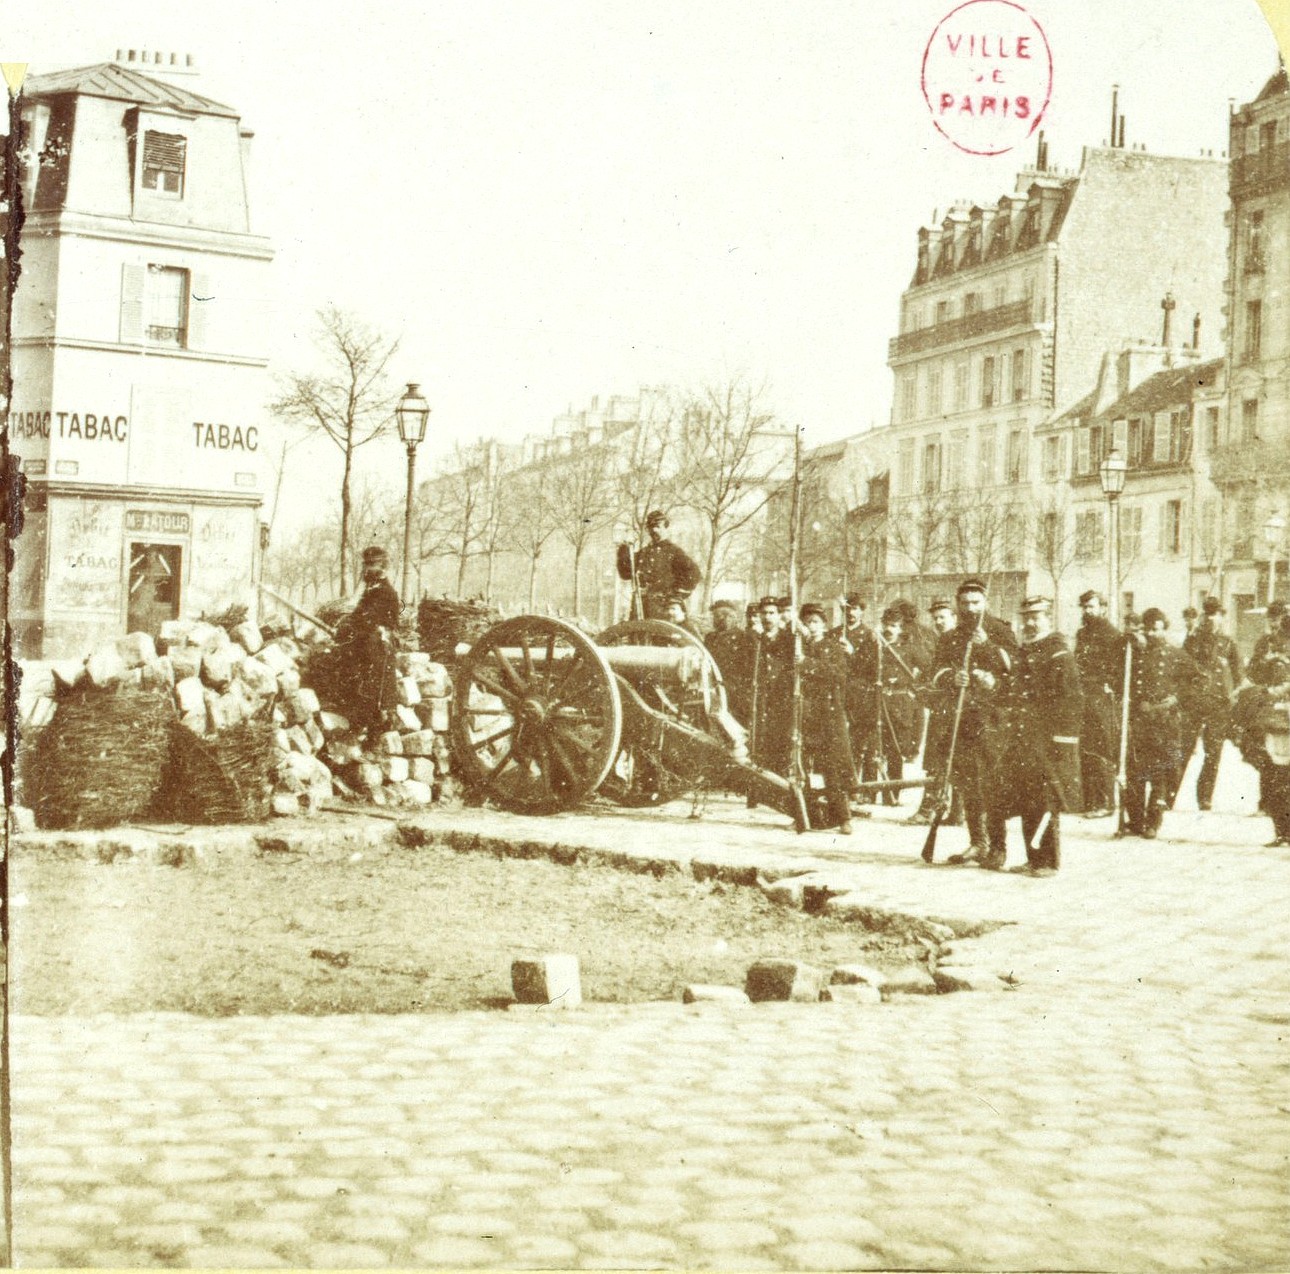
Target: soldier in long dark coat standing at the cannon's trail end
826, 747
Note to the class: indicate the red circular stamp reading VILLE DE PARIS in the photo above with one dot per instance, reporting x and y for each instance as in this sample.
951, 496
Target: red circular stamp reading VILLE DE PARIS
987, 75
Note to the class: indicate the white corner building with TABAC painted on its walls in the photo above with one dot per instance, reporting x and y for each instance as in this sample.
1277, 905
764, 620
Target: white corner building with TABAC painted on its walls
140, 385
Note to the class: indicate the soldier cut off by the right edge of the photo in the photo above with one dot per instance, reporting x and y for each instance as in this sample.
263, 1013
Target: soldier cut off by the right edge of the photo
1264, 719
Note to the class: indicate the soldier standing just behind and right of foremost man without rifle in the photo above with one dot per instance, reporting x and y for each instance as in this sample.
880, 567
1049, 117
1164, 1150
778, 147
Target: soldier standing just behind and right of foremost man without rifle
1100, 656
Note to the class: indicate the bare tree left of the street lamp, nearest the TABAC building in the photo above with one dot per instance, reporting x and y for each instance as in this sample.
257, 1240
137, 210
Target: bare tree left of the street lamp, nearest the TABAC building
350, 402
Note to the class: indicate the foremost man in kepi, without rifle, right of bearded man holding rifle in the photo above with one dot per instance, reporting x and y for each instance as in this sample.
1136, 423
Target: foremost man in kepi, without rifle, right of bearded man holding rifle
1044, 754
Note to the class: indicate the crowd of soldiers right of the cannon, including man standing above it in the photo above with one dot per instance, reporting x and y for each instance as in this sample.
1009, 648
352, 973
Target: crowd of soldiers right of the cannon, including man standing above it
1009, 725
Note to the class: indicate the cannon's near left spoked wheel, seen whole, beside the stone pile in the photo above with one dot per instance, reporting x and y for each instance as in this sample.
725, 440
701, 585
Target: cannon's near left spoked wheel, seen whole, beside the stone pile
539, 720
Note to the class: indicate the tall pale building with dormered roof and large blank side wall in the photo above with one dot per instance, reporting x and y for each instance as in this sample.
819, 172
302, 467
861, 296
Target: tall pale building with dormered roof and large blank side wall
1007, 323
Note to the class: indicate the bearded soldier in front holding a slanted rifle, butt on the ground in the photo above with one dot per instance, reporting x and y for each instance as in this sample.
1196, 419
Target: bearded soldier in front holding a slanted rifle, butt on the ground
978, 752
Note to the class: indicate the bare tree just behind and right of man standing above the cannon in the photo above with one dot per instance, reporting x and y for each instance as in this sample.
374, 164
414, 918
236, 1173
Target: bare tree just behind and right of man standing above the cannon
731, 462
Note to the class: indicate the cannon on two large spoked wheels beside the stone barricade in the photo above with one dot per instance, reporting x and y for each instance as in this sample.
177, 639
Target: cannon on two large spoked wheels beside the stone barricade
545, 718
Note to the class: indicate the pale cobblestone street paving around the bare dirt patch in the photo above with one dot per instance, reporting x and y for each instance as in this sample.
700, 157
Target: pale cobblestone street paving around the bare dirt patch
1127, 1106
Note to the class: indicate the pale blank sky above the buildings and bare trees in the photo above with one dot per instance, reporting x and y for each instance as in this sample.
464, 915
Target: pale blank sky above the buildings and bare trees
550, 201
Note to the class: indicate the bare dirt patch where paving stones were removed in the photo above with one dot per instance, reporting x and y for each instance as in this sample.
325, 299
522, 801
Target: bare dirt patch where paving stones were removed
389, 932
